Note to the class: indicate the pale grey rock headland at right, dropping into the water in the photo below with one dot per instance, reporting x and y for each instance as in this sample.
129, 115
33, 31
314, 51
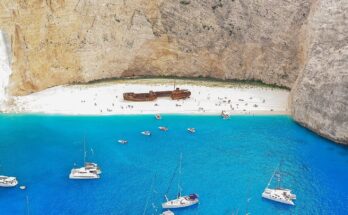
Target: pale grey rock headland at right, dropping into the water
320, 96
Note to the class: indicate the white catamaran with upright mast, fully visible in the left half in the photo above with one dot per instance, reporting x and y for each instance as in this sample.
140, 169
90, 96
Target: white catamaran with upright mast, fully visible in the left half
88, 171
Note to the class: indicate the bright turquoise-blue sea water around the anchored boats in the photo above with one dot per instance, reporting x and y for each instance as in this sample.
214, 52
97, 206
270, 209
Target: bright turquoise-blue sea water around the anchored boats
226, 162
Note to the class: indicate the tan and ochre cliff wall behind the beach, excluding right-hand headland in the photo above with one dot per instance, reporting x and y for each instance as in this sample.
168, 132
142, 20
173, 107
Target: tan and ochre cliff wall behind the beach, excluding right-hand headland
56, 41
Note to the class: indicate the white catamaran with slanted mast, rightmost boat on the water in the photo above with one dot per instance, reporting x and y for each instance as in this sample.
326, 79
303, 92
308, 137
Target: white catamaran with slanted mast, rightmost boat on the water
278, 194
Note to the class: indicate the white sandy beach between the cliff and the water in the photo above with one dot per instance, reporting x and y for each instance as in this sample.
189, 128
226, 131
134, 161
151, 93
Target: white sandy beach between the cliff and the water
107, 99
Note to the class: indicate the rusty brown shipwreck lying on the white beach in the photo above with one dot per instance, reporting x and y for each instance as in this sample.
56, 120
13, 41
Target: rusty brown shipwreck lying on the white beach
153, 95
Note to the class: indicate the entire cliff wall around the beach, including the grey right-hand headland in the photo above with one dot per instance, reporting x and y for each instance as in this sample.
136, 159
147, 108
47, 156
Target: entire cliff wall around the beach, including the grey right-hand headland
299, 44
